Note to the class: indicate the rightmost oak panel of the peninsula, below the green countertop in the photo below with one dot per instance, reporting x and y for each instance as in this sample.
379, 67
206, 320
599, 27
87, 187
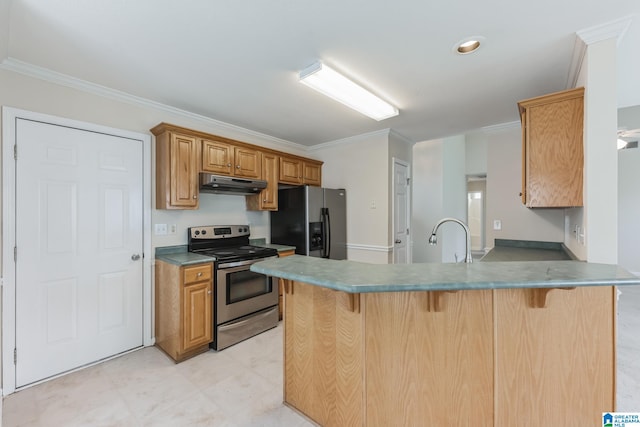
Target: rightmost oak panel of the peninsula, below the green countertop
555, 365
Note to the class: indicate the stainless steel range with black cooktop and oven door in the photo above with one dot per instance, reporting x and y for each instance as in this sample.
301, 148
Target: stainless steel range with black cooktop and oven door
246, 303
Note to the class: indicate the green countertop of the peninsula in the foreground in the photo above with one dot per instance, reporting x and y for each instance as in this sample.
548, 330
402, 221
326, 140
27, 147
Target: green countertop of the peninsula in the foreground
356, 277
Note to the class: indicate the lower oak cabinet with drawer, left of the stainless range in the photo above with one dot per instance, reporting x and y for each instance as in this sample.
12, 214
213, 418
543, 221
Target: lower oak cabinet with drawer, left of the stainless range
184, 309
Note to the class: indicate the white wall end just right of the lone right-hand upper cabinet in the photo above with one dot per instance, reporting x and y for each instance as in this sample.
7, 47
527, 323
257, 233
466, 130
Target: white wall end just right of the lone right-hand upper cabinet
599, 217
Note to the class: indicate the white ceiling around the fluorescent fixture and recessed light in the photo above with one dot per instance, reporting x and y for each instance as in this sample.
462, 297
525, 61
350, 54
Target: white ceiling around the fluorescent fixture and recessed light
238, 61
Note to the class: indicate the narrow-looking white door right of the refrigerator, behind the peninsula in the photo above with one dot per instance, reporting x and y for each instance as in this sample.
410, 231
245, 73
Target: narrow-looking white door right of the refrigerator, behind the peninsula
400, 212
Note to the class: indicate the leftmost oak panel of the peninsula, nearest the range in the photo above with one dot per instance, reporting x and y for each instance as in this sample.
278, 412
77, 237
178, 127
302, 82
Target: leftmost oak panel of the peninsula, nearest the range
323, 355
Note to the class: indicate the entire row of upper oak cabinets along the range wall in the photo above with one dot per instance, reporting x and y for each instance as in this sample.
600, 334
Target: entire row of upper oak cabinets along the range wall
181, 154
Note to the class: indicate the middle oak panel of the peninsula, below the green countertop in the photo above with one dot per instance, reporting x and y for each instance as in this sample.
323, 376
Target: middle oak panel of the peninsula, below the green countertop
429, 368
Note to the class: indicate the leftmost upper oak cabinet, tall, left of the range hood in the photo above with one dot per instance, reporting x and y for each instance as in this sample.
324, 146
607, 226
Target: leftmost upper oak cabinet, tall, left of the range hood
177, 167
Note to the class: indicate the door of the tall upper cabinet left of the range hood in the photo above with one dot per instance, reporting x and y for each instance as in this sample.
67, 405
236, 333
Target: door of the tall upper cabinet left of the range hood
184, 171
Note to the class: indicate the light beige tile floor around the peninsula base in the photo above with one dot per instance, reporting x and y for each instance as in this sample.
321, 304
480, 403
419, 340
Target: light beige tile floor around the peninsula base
240, 386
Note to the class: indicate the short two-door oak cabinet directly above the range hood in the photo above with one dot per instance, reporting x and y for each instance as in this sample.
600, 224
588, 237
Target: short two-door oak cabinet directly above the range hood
227, 159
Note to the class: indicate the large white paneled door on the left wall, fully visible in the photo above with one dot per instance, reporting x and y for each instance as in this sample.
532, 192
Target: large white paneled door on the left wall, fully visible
79, 238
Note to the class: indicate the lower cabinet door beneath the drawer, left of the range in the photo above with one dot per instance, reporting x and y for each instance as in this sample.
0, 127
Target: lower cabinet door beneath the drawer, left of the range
197, 315
